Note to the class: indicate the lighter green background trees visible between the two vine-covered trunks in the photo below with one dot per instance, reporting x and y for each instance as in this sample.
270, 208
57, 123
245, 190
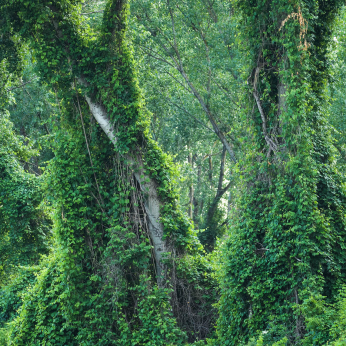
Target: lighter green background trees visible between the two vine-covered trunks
189, 69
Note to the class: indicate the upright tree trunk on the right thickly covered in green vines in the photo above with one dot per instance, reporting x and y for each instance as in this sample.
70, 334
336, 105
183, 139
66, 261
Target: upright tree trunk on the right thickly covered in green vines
288, 233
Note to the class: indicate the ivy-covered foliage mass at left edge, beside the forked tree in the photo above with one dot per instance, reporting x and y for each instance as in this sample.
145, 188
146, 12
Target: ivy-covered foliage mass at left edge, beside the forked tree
24, 225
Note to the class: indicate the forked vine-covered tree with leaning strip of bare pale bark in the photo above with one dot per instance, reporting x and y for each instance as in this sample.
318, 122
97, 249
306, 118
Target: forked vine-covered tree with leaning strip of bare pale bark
117, 267
